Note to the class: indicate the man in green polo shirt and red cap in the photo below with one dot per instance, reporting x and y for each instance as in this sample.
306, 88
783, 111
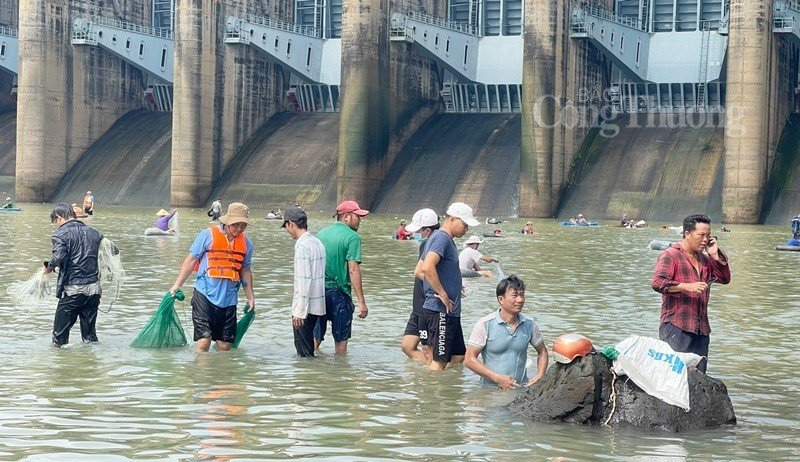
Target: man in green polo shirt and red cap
342, 275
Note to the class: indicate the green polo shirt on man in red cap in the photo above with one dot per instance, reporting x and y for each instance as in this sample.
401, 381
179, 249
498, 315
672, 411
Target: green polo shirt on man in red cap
342, 244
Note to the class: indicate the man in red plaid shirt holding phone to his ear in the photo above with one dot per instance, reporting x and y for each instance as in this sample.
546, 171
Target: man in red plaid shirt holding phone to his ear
683, 275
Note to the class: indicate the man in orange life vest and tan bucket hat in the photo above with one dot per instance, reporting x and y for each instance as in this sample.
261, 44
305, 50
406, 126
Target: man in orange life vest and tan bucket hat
221, 256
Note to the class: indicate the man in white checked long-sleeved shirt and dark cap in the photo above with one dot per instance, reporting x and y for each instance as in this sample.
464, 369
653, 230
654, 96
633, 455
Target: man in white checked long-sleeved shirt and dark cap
308, 304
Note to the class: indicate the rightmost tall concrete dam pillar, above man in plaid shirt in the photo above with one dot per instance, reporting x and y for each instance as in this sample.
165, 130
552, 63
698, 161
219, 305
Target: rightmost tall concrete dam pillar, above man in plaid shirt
747, 111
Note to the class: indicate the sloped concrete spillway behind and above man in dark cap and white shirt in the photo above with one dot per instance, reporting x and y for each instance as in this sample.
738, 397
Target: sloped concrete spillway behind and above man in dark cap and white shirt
290, 159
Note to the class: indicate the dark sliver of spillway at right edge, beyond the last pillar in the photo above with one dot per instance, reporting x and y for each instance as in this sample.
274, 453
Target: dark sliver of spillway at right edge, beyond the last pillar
782, 195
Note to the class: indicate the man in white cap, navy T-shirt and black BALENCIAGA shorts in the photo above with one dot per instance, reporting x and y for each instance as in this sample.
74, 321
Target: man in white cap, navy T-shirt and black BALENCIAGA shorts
438, 269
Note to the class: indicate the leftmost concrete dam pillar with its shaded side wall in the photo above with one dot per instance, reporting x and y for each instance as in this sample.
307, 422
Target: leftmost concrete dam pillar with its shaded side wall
66, 99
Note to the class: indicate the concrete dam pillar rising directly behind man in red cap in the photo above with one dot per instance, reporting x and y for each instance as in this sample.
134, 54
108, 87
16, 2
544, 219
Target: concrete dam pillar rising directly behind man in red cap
364, 130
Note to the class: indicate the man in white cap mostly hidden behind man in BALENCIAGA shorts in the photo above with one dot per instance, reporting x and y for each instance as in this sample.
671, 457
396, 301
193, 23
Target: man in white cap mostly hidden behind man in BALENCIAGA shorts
424, 222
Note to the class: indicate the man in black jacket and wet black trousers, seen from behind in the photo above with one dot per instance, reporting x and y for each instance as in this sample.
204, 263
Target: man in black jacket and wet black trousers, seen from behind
75, 250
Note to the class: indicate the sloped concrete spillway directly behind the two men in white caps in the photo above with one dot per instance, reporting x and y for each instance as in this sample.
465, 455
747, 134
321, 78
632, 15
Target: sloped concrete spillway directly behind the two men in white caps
472, 158
